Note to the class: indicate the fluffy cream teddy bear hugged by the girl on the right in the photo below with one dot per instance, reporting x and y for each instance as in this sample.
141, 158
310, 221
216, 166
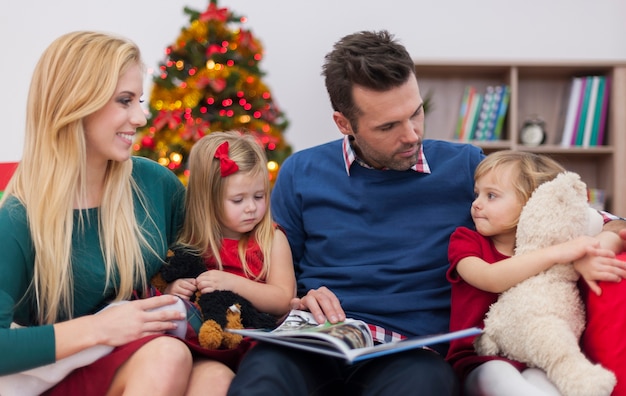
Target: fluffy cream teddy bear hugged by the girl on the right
540, 320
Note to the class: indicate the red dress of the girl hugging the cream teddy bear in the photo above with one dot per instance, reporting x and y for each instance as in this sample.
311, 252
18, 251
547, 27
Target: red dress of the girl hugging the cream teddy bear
469, 305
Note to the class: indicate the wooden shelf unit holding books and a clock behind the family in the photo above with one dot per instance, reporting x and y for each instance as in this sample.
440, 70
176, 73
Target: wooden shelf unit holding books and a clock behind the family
537, 89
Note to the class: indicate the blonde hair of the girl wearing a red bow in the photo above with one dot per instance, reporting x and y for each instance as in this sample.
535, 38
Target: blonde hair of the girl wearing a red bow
204, 202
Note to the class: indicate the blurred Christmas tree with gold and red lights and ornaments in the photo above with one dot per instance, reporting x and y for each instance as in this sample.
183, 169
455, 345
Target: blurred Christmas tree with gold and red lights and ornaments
210, 81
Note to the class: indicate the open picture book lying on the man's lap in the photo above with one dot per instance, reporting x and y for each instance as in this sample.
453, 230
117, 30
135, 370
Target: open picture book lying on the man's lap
351, 340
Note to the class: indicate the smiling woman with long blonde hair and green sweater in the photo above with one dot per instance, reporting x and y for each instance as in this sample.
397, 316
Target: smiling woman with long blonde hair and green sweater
84, 224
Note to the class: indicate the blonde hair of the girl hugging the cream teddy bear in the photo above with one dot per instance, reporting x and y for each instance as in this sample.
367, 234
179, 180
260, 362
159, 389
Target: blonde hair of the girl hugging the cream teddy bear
529, 170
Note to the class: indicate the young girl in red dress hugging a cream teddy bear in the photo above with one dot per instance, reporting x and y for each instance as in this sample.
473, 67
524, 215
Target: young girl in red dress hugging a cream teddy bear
504, 182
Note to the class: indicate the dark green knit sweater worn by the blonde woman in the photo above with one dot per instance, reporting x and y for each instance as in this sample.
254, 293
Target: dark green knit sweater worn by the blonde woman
34, 345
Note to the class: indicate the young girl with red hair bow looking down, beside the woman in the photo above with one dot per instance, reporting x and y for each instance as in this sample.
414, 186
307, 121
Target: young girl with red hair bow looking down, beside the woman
228, 222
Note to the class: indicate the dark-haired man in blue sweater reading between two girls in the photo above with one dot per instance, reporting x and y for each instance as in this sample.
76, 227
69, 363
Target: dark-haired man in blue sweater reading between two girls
368, 220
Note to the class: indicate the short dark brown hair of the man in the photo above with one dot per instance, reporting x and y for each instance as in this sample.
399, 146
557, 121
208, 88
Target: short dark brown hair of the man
373, 60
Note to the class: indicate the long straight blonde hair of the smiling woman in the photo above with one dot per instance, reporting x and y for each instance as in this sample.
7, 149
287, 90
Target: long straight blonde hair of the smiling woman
76, 76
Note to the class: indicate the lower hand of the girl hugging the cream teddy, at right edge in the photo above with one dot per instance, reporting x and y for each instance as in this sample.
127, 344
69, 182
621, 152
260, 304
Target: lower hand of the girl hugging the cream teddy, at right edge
600, 265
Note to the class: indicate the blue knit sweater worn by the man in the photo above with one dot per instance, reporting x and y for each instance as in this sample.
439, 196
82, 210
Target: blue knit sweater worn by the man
377, 239
